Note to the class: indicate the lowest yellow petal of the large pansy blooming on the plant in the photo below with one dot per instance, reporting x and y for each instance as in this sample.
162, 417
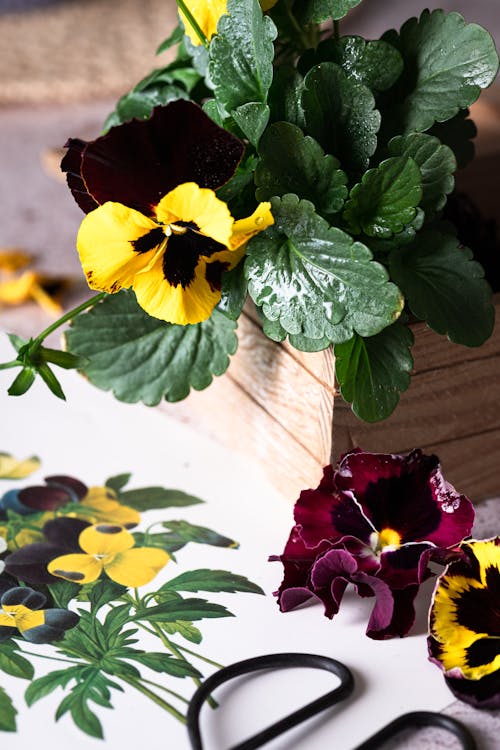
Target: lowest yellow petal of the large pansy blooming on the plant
180, 305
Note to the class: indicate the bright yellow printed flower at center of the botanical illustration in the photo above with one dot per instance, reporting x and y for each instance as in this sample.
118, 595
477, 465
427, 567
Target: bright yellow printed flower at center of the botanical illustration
109, 548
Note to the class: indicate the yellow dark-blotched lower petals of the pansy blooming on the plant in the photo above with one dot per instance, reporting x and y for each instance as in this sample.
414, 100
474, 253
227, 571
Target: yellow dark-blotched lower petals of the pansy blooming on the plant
173, 261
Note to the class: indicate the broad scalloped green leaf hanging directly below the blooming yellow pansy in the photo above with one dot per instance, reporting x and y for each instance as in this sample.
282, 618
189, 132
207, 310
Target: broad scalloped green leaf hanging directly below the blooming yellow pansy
141, 358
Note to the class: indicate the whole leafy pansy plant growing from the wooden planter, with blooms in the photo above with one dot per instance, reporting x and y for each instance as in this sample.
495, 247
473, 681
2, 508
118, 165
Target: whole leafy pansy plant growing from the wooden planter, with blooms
276, 159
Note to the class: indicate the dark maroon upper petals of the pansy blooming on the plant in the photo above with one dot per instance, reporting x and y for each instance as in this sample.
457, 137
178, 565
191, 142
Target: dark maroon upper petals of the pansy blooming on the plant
140, 161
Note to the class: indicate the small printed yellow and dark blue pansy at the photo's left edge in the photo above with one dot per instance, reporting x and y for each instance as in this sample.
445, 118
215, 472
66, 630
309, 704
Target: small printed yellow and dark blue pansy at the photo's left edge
22, 612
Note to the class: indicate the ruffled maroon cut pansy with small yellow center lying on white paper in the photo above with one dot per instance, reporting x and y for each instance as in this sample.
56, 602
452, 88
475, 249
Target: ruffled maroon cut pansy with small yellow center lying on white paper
374, 521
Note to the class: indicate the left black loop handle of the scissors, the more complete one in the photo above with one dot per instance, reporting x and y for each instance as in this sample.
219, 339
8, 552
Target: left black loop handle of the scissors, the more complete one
271, 661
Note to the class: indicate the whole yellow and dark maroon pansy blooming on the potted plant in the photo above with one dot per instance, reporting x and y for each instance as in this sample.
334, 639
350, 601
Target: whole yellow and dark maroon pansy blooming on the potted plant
154, 222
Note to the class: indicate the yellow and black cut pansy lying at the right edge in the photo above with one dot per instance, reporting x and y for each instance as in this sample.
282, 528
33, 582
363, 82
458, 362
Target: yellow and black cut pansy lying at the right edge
464, 624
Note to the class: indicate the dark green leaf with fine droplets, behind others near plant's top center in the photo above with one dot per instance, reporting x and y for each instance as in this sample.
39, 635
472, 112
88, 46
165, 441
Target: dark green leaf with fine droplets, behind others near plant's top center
376, 64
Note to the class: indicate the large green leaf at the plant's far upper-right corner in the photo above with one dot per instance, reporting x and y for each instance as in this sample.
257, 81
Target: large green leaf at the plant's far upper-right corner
447, 63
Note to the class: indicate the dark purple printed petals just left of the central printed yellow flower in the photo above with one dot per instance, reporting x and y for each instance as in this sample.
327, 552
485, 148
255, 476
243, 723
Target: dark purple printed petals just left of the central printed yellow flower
30, 562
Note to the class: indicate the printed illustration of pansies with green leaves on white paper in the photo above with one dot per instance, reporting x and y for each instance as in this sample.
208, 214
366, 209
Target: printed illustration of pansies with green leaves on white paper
72, 565
